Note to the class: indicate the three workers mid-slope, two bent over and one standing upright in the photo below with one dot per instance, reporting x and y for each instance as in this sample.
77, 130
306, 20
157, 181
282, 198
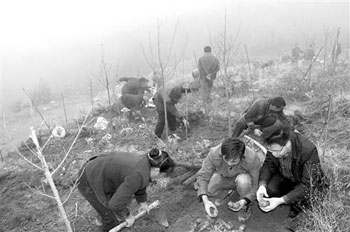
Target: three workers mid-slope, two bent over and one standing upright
134, 98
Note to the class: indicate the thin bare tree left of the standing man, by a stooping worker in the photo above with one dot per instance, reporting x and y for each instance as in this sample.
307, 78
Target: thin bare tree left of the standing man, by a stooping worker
159, 60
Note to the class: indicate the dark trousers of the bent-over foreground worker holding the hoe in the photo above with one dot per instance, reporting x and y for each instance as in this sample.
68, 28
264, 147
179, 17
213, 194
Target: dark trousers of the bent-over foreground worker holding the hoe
109, 220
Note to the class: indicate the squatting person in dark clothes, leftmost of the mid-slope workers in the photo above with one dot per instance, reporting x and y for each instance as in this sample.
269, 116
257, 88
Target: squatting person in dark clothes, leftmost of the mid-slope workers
133, 93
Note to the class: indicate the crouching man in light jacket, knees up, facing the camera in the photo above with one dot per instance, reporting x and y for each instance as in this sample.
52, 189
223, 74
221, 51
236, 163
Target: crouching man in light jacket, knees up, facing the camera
229, 166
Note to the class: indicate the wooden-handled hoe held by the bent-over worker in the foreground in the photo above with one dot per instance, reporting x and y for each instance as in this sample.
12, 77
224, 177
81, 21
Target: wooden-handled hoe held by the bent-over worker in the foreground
156, 212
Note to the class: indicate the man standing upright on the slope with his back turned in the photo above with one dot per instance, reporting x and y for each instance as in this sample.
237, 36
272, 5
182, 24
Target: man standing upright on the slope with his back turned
208, 66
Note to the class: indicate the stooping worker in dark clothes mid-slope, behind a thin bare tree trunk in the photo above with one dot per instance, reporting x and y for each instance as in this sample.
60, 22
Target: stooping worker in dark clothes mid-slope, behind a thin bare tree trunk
172, 97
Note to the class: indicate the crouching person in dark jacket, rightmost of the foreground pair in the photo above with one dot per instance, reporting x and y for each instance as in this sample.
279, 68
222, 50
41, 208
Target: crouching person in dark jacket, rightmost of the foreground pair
291, 173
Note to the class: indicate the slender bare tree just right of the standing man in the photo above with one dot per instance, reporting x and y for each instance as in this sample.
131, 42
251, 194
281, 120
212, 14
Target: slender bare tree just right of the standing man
225, 47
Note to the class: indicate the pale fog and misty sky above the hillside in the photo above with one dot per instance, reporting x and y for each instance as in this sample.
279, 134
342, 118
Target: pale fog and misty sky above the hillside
59, 42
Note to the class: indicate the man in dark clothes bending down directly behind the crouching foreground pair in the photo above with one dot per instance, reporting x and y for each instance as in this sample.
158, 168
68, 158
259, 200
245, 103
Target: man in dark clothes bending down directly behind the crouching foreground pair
264, 116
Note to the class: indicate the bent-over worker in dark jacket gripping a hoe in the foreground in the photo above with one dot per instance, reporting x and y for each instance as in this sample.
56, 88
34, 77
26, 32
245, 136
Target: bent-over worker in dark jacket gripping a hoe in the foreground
109, 181
